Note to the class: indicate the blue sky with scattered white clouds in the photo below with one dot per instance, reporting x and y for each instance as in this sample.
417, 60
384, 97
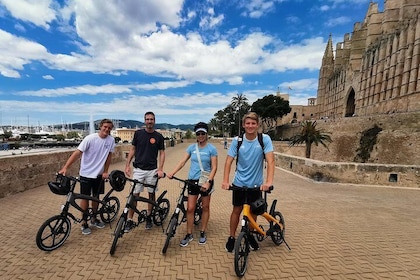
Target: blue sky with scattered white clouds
78, 60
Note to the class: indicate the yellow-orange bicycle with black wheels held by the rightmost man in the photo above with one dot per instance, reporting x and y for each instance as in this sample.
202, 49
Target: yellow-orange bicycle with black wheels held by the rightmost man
276, 228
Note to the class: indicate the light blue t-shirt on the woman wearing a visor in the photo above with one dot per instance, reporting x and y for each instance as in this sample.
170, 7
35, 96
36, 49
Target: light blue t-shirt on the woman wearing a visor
206, 153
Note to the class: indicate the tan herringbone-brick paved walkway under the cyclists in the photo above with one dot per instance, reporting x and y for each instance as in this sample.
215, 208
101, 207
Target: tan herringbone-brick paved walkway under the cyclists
336, 231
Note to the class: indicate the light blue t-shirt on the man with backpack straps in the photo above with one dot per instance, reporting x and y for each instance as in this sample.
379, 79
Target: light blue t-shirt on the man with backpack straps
249, 171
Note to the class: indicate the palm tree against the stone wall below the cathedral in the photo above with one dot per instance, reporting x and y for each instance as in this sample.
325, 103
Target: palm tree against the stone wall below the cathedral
310, 134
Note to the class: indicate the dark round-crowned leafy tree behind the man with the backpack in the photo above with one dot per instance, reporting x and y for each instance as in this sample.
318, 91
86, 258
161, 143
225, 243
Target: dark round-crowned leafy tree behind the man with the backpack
270, 108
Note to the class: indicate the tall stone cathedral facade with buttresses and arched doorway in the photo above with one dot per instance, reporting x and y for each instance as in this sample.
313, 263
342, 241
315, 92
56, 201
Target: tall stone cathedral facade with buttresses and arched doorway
375, 70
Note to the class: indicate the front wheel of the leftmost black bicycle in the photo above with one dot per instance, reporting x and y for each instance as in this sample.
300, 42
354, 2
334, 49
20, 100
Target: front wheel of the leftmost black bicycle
53, 233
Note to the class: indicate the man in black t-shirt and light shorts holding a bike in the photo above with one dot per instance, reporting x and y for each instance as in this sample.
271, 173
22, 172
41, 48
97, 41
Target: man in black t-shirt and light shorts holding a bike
147, 144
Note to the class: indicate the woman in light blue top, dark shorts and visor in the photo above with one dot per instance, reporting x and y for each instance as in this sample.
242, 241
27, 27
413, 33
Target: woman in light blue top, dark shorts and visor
203, 158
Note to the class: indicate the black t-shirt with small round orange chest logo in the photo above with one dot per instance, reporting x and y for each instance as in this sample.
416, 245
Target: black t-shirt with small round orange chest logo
147, 147
